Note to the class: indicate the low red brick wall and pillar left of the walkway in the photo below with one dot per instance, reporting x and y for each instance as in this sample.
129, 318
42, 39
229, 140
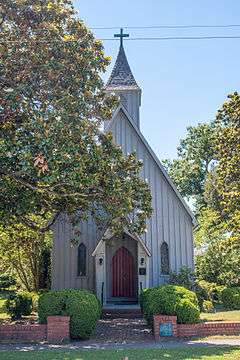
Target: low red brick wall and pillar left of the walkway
56, 330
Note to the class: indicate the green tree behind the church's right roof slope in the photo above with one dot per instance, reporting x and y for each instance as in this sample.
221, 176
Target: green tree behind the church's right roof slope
195, 157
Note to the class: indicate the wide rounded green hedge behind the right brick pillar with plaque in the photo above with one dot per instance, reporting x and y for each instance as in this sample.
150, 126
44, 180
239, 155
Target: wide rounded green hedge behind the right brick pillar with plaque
170, 300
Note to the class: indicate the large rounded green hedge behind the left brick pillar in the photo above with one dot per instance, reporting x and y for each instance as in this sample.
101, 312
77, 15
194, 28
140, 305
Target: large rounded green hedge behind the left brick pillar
81, 305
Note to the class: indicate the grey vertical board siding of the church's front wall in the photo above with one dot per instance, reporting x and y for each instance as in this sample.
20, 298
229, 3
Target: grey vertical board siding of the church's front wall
170, 222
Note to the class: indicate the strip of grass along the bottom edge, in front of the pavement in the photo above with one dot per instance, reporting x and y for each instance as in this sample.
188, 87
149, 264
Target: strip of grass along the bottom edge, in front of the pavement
190, 353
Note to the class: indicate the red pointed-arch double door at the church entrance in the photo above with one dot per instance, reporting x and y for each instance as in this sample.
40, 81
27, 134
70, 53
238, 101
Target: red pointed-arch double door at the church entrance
123, 274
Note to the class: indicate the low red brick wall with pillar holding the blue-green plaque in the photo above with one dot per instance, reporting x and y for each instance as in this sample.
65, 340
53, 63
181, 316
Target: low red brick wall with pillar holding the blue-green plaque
199, 329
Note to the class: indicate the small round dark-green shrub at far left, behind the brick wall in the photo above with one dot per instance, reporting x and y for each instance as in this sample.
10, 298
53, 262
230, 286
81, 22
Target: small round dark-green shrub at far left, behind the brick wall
18, 305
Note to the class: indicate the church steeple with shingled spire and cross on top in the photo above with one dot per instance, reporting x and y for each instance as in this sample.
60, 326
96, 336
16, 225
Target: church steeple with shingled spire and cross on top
123, 83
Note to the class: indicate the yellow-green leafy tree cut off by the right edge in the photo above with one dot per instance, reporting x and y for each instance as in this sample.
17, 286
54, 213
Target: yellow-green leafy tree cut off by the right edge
223, 190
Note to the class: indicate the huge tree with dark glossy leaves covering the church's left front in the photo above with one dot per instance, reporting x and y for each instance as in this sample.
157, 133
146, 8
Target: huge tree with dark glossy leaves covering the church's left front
53, 157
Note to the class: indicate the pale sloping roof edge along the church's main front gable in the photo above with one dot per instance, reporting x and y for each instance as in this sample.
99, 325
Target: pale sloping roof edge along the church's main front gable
153, 155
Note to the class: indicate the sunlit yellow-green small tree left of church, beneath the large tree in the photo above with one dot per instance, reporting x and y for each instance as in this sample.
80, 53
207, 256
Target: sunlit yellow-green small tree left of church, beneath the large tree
21, 254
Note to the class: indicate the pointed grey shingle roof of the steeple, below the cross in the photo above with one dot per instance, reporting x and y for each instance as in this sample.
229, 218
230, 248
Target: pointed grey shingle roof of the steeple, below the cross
121, 76
